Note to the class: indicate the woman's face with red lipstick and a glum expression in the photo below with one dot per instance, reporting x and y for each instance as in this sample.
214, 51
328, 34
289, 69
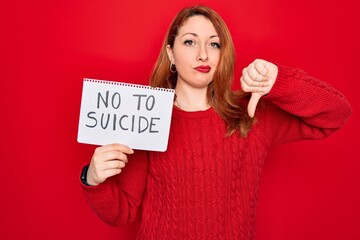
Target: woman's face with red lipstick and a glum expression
196, 52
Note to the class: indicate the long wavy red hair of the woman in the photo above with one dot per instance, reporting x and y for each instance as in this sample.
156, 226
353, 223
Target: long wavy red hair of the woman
220, 96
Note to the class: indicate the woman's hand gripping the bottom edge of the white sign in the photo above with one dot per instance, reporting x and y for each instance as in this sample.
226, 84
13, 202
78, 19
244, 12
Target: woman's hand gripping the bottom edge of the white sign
107, 161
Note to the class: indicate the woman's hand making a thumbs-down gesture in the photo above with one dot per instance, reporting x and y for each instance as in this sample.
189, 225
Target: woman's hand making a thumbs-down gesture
258, 79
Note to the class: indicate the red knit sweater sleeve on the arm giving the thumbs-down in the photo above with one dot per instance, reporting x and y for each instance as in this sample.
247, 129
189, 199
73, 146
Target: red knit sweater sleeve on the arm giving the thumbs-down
301, 107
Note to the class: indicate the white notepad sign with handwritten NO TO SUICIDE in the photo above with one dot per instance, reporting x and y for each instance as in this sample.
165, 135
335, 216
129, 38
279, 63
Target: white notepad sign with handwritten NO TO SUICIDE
135, 115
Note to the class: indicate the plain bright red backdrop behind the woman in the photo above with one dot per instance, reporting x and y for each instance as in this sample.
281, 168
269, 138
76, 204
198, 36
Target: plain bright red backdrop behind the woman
309, 190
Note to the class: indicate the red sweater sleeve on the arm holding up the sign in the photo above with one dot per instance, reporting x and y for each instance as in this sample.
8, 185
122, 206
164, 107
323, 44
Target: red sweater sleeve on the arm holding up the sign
116, 200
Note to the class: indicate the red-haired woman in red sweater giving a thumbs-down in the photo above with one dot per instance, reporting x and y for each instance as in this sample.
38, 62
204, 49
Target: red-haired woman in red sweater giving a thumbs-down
205, 185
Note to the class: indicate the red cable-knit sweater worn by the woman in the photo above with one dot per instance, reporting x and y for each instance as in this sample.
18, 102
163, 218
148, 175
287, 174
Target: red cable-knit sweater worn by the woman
205, 185
